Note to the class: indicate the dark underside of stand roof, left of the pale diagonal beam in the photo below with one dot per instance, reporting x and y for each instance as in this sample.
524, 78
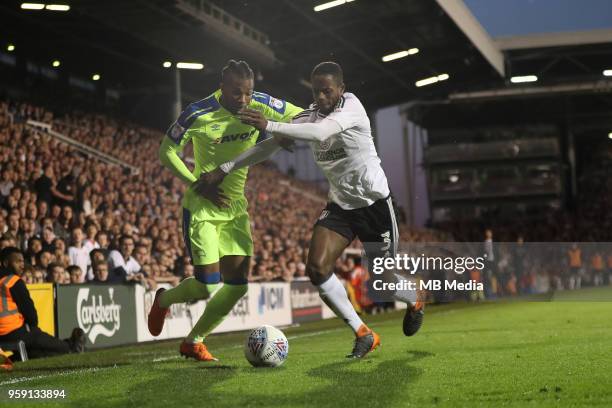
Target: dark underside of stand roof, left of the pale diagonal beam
127, 41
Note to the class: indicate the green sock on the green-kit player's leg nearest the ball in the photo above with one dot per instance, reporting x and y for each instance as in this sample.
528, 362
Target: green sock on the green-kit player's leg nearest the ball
217, 308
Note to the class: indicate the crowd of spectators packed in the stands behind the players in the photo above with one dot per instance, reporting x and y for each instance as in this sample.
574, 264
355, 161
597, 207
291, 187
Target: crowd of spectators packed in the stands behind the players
79, 219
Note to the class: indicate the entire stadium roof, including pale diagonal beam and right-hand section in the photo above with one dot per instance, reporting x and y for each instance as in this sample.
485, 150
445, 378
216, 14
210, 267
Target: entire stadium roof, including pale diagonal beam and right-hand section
127, 42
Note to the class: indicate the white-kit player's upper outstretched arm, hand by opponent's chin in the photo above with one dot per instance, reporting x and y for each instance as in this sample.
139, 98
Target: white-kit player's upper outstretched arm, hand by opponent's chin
298, 131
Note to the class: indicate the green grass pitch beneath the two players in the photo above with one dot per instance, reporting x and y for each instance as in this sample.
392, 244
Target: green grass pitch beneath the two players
495, 354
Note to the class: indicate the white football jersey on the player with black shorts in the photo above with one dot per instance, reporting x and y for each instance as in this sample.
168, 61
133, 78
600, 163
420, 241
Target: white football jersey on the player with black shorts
348, 159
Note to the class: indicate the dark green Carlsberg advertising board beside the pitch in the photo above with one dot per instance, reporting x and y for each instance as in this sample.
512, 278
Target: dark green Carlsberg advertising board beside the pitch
106, 313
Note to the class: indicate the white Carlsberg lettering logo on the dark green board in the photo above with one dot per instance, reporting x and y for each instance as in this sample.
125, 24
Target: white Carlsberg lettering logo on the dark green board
97, 317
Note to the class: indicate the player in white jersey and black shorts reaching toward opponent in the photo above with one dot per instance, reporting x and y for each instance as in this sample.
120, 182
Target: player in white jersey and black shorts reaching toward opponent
338, 130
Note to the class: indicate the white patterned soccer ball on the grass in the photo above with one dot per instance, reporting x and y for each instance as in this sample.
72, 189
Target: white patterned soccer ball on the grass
266, 346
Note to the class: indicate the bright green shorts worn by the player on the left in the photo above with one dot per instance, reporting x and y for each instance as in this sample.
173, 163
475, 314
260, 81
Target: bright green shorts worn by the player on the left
211, 233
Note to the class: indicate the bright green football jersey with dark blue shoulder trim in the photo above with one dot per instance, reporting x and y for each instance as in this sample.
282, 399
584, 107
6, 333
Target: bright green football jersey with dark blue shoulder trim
218, 136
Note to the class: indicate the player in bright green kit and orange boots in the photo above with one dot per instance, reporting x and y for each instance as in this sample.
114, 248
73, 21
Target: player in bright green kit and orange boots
217, 235
